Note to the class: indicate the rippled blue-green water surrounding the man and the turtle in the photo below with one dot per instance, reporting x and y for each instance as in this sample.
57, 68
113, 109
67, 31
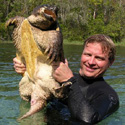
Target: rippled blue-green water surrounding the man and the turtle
11, 105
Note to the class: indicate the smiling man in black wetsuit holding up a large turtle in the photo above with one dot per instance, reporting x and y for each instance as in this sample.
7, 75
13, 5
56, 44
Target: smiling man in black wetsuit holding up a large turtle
90, 98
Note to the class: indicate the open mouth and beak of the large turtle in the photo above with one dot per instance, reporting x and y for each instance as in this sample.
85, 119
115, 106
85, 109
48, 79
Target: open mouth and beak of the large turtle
50, 15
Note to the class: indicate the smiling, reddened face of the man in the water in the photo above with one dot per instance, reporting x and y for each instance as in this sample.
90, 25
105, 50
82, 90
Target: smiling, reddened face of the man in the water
94, 62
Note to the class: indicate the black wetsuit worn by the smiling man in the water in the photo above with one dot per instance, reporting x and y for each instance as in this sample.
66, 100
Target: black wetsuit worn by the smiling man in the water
90, 101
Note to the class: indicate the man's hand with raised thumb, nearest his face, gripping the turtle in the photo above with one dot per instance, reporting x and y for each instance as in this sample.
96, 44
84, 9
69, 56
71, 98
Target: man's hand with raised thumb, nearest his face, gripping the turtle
62, 72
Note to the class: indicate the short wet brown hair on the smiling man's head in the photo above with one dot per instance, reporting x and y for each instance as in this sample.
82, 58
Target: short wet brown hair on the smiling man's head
106, 43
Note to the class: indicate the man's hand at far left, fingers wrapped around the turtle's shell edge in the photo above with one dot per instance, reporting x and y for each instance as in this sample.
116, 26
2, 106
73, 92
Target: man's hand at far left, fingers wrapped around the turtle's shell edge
19, 67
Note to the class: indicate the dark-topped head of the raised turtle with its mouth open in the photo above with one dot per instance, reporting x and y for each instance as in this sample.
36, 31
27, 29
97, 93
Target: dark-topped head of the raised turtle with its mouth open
44, 16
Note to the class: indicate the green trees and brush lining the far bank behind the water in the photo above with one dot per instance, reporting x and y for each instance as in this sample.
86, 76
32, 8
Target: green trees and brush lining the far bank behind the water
78, 18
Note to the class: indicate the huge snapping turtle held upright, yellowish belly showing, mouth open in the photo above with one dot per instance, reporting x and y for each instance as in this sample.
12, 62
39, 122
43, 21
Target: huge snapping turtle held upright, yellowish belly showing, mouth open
38, 41
